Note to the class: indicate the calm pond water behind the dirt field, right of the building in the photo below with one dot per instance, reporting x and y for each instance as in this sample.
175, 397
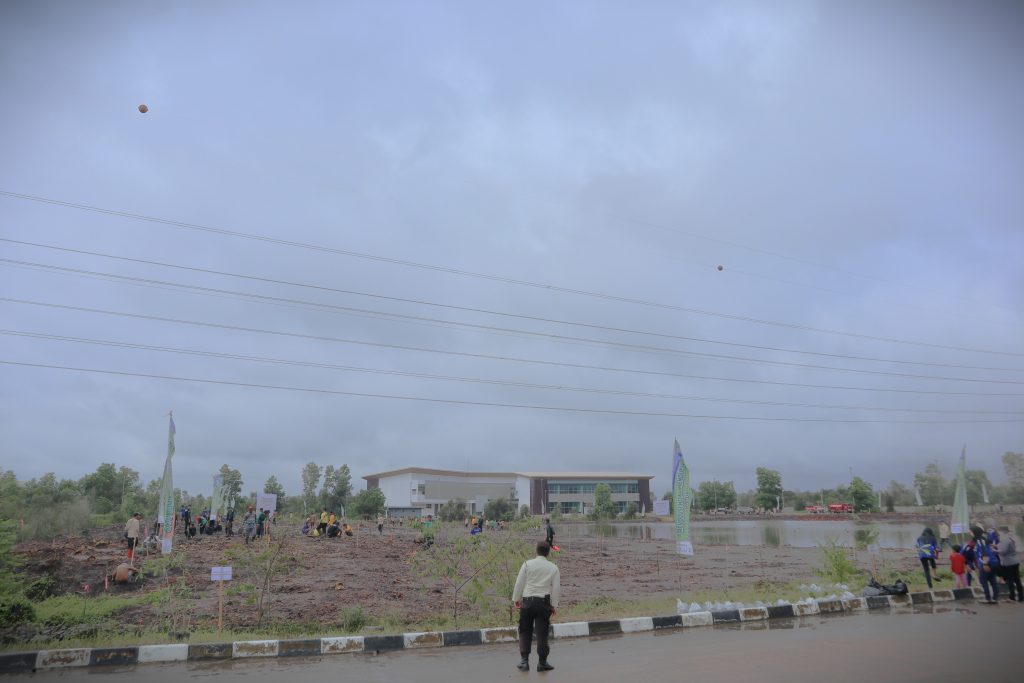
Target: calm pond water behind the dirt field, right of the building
775, 533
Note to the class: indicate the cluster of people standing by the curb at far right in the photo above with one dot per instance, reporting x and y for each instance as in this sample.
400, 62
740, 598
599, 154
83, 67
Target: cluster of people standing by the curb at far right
992, 554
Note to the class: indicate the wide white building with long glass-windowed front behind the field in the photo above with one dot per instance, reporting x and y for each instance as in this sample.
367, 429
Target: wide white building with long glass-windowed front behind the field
421, 491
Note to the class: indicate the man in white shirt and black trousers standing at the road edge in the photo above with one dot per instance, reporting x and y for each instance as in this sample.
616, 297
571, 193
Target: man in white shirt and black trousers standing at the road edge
536, 596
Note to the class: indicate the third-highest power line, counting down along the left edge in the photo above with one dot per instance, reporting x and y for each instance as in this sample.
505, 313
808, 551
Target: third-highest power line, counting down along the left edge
488, 328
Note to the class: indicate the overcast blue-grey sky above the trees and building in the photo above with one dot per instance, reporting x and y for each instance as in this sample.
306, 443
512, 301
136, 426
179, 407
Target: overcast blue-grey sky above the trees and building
856, 168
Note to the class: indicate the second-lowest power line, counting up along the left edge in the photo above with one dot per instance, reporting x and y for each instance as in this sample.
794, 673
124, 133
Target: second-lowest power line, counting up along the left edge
451, 378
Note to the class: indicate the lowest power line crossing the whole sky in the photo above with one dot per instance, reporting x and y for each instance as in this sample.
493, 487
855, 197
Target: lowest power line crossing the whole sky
453, 402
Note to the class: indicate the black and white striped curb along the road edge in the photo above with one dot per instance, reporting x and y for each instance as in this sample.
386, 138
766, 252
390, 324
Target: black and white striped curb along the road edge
106, 657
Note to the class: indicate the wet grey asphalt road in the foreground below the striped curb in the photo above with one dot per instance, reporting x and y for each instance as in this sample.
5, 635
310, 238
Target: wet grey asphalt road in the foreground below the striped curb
948, 644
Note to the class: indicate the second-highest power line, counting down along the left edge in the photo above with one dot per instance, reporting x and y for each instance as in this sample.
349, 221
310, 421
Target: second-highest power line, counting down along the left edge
500, 314
